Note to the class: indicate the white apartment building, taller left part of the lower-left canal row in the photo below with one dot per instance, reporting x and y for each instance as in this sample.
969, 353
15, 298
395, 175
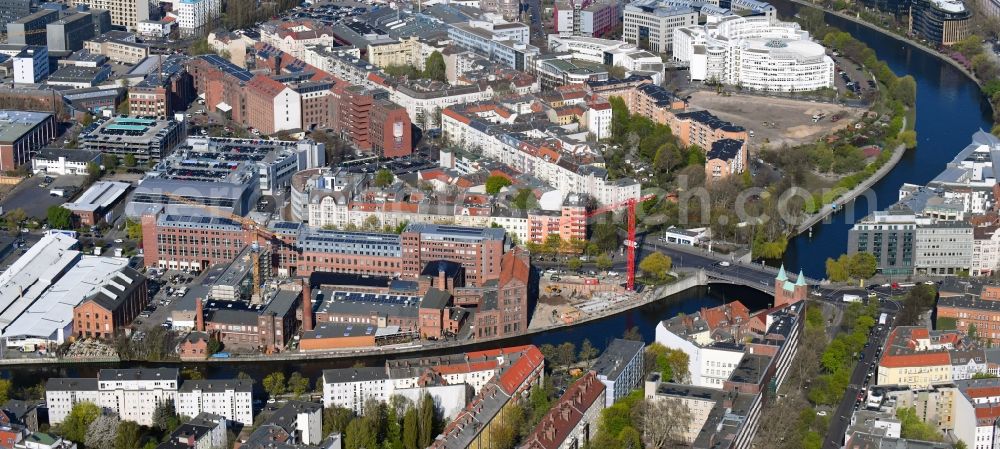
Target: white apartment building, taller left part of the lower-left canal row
133, 394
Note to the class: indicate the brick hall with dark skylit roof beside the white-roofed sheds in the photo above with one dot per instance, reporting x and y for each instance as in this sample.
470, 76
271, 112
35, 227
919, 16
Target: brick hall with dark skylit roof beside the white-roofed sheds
114, 306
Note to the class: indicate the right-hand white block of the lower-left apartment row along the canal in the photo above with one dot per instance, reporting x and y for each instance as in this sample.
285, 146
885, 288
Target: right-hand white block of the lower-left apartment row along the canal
230, 399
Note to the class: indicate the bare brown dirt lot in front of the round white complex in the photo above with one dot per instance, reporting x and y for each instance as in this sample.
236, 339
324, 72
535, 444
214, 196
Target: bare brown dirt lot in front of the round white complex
789, 121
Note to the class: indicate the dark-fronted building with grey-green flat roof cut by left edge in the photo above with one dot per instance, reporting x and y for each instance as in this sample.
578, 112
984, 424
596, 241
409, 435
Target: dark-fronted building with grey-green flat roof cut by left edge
22, 133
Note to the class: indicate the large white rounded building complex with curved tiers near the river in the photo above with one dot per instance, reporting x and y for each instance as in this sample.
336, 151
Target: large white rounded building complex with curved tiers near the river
757, 53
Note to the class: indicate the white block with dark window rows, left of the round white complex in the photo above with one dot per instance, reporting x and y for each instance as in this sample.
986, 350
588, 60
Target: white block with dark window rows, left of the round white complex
650, 24
